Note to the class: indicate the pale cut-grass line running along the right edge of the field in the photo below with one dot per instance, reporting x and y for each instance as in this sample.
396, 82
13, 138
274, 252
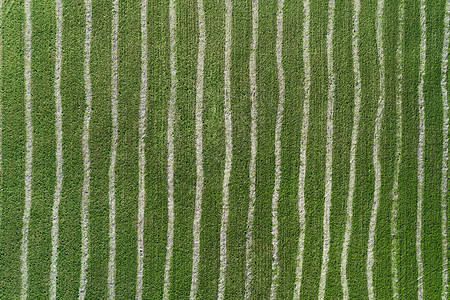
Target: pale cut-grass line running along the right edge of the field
445, 151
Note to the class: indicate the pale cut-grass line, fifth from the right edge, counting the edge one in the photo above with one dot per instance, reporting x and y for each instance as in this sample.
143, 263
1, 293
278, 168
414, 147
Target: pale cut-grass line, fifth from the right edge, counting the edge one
356, 117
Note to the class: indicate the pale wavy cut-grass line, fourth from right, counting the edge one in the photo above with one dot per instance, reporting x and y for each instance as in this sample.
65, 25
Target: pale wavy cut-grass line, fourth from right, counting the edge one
376, 159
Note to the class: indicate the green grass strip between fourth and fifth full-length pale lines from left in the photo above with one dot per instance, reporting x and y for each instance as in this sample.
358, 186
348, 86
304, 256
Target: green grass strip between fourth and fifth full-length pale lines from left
127, 168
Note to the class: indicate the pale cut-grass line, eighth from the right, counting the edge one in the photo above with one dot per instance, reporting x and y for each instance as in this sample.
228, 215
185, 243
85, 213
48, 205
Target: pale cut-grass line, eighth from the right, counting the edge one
278, 126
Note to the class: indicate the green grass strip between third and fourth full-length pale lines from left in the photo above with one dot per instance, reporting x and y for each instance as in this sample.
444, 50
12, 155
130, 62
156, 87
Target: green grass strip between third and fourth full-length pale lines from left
100, 147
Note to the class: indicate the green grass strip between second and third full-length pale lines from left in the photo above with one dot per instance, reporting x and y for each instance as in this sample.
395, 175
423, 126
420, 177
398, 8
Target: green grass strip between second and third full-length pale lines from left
73, 106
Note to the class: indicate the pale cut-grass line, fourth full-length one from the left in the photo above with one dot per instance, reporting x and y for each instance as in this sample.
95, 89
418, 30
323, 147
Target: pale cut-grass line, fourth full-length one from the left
115, 135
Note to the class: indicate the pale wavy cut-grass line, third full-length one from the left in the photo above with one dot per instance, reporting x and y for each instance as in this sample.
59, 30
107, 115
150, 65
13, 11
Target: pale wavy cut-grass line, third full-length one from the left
86, 154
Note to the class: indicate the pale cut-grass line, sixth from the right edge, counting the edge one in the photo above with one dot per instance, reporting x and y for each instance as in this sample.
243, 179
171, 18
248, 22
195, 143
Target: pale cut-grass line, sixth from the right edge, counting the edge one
329, 154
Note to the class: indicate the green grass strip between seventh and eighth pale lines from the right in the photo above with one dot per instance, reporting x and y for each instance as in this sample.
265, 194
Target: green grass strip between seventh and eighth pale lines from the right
290, 141
